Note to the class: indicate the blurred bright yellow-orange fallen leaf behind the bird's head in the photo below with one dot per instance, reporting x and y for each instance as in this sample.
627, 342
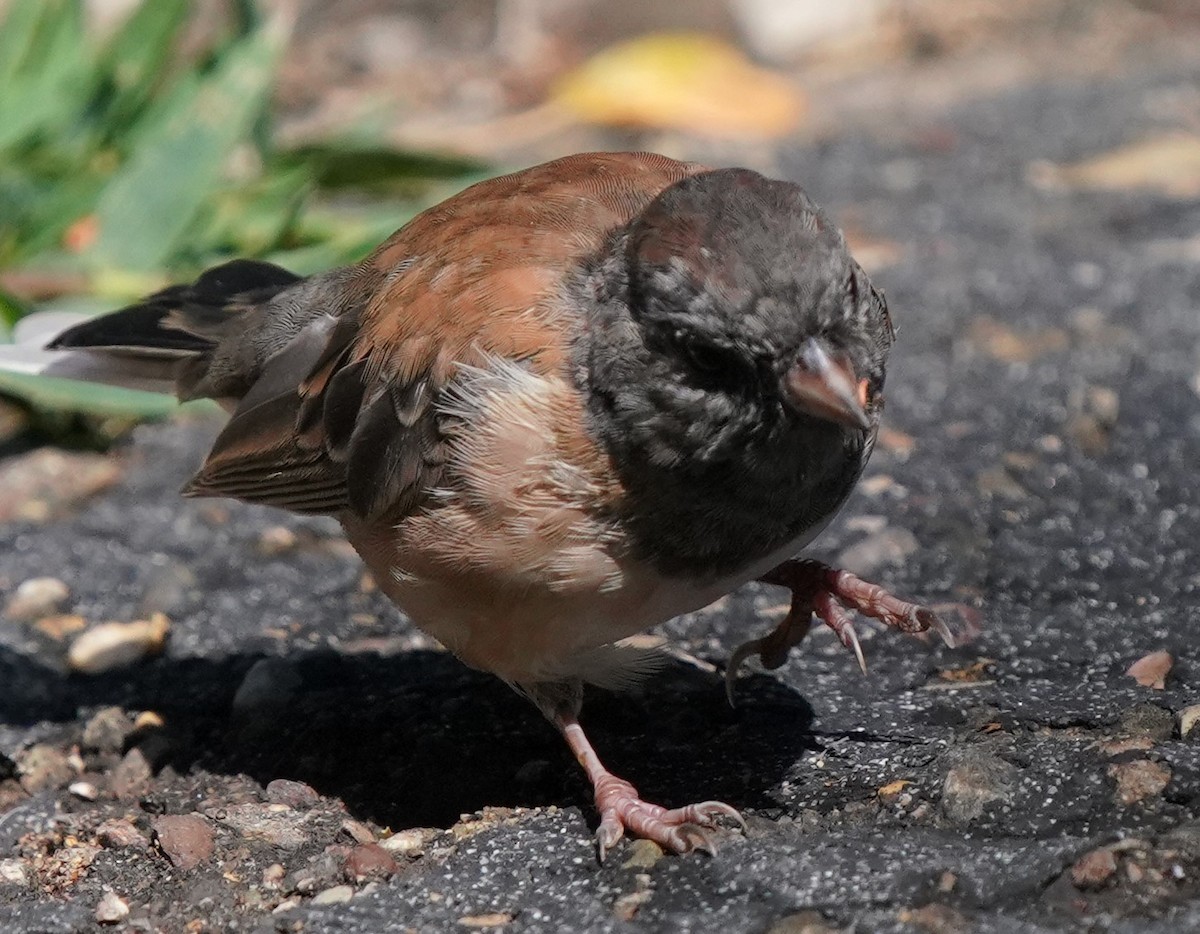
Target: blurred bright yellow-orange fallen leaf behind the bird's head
683, 82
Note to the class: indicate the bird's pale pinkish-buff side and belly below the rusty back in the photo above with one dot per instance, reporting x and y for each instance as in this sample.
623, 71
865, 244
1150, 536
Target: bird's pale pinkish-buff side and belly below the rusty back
517, 565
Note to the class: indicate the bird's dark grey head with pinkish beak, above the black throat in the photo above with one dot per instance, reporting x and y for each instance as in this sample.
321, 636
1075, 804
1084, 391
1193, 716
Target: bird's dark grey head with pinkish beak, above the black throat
751, 301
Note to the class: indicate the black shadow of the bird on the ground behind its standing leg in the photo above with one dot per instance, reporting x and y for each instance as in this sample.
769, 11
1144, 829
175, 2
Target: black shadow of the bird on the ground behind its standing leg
418, 740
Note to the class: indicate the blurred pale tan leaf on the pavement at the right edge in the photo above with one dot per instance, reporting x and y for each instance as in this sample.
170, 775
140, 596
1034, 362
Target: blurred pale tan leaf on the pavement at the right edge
1169, 165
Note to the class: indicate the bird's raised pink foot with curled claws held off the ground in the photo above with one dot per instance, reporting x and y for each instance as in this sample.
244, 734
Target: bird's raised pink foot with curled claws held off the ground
829, 592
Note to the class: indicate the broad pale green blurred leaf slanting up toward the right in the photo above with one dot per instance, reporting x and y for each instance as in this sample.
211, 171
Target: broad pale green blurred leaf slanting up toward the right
147, 209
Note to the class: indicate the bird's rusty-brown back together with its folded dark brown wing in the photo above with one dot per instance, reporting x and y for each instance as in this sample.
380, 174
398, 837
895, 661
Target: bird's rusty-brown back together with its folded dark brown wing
347, 420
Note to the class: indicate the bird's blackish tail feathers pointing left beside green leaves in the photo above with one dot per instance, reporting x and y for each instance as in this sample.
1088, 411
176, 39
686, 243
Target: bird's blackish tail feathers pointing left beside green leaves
167, 338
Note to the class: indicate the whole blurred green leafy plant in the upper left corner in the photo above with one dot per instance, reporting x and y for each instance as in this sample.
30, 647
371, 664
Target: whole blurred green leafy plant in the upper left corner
122, 167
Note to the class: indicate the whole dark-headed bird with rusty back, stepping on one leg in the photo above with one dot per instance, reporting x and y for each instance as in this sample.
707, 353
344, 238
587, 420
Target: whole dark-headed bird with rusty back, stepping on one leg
556, 410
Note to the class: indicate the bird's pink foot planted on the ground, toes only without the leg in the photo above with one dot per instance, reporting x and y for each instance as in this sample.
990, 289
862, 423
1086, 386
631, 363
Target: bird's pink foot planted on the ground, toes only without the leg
676, 830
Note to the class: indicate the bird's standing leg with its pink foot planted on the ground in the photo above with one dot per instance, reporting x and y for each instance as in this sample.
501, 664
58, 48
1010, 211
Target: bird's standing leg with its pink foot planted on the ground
676, 830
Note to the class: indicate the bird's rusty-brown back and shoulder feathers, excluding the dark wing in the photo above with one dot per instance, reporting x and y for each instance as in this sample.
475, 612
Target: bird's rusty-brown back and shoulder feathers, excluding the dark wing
478, 272
